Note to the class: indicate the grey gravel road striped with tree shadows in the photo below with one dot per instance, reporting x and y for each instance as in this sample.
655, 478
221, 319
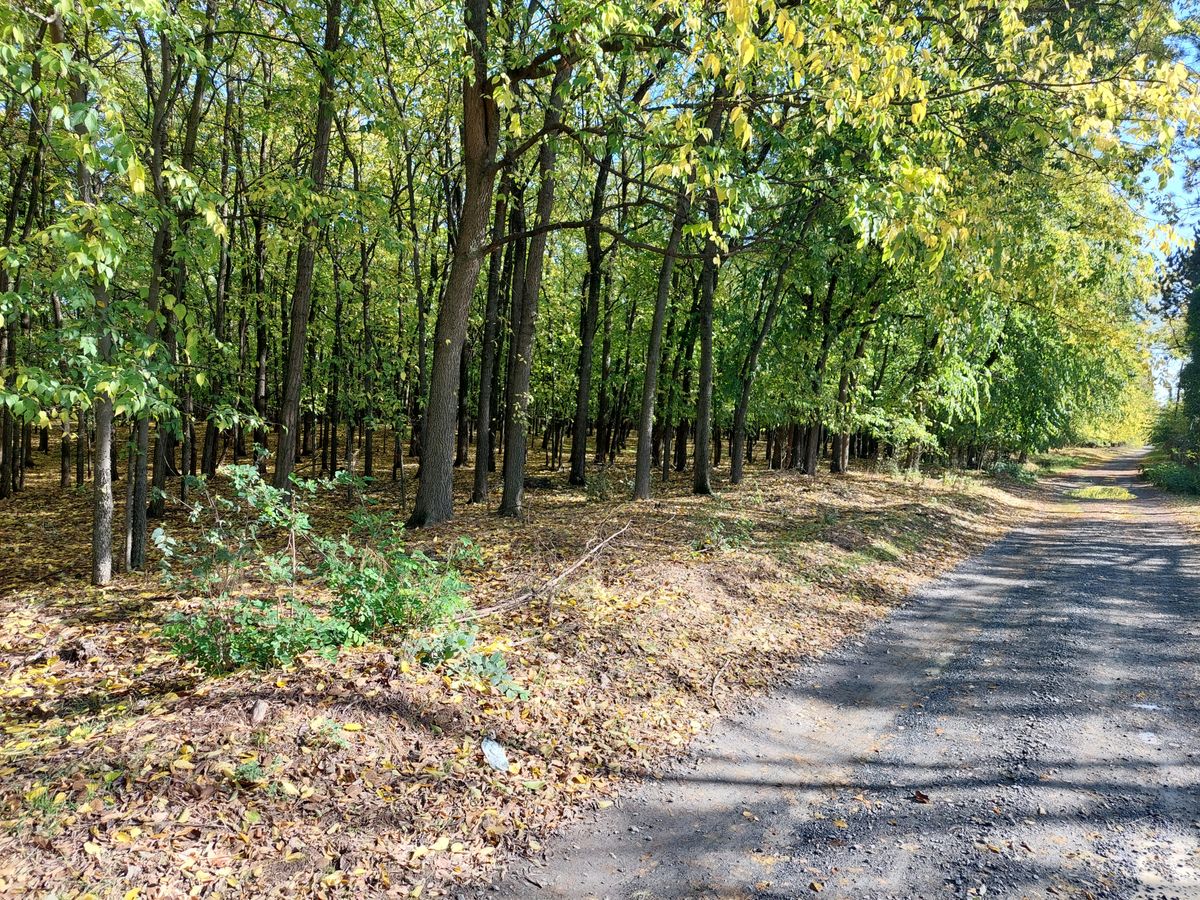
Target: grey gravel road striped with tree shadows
1028, 728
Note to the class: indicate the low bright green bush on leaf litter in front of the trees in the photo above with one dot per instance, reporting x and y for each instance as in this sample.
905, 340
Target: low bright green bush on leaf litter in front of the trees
262, 533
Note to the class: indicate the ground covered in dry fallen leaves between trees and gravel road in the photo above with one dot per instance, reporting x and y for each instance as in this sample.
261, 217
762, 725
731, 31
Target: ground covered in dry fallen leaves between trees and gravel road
119, 764
